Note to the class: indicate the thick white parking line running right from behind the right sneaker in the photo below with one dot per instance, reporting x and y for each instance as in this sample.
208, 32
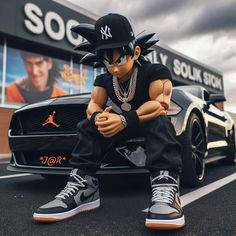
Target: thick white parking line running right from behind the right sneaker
196, 194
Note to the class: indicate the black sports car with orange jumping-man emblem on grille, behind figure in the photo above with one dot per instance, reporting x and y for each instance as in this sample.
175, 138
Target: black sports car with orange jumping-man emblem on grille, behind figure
42, 135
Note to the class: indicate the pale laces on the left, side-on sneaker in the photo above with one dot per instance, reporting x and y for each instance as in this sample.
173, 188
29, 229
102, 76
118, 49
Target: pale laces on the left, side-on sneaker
72, 187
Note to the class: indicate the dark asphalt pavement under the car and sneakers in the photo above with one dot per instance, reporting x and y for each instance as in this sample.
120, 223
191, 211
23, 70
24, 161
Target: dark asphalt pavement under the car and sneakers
124, 199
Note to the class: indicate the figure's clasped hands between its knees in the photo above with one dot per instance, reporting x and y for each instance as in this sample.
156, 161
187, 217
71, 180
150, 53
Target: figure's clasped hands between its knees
108, 123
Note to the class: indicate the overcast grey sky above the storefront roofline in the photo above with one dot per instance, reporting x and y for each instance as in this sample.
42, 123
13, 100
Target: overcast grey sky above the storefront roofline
202, 29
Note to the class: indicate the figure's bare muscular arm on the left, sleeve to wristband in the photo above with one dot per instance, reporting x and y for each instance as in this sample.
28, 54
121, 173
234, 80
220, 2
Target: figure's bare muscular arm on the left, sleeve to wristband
98, 99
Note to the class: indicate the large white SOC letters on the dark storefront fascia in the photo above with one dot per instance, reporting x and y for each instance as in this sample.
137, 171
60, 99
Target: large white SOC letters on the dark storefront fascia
37, 22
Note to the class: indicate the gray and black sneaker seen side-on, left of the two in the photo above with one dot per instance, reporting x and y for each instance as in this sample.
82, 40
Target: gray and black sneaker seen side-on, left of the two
80, 194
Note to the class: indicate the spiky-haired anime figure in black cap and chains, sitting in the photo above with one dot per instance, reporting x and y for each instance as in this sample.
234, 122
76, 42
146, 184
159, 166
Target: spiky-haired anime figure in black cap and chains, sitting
142, 90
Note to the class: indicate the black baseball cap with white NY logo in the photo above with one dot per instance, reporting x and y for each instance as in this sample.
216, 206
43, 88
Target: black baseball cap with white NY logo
113, 31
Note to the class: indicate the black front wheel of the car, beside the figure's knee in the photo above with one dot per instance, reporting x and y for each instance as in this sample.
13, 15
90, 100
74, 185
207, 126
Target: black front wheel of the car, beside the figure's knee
193, 156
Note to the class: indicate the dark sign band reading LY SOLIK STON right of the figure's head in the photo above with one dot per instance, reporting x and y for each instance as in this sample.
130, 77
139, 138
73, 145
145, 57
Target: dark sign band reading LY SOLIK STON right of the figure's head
184, 69
